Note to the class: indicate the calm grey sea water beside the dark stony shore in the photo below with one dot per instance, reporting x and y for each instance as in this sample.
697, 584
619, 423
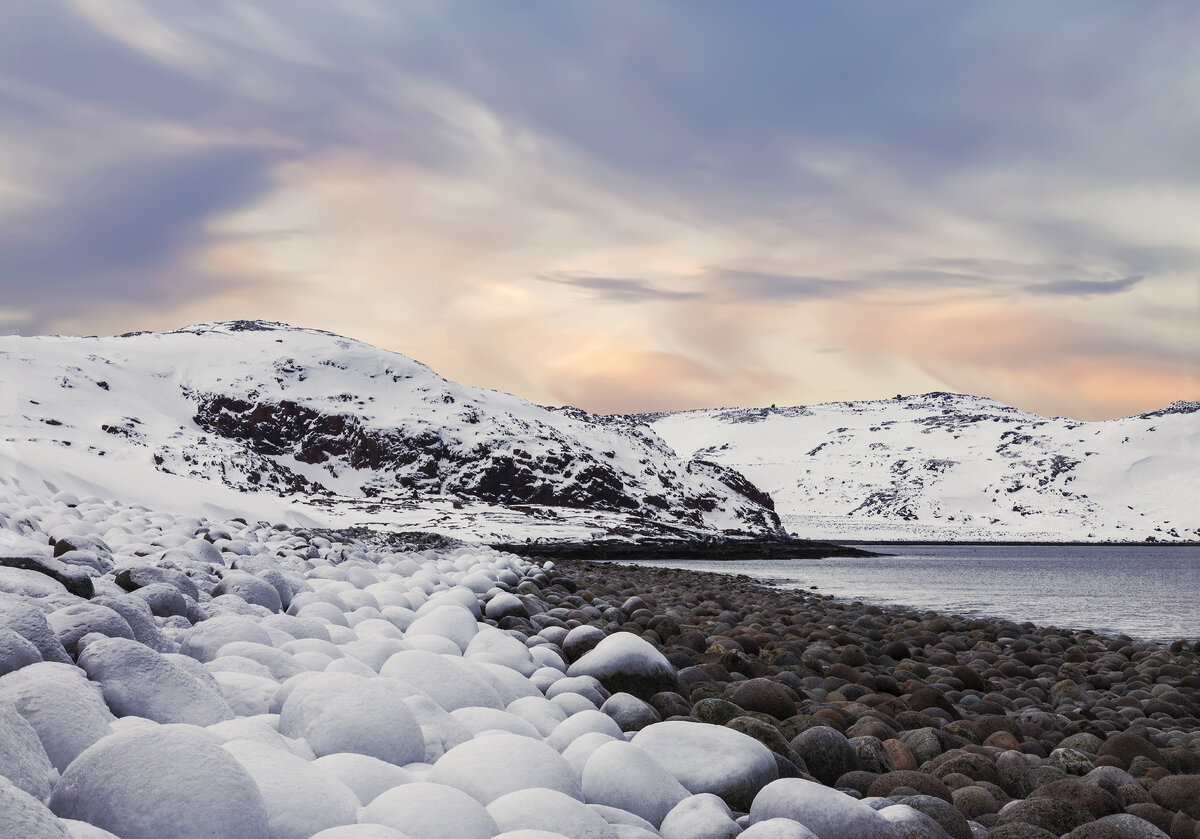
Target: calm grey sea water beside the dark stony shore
1144, 592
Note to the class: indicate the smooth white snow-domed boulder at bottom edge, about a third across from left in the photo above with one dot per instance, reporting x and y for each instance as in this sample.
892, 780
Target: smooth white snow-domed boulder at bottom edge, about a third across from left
427, 811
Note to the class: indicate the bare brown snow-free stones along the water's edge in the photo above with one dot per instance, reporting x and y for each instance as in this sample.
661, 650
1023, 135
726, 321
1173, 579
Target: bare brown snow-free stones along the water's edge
987, 715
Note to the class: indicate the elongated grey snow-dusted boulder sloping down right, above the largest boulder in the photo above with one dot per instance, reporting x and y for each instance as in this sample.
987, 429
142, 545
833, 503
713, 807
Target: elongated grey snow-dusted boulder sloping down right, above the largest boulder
137, 681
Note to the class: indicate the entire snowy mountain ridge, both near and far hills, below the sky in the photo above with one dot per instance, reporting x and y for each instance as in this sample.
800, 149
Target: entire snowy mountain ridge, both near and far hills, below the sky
337, 433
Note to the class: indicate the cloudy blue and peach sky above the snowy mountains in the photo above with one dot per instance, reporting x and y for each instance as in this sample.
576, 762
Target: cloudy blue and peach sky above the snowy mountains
627, 206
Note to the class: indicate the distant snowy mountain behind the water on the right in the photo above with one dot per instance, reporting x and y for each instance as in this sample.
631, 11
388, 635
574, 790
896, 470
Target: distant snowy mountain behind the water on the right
949, 468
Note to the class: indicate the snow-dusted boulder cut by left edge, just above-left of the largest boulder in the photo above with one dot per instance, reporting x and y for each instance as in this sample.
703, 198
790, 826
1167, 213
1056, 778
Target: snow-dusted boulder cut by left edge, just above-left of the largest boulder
63, 706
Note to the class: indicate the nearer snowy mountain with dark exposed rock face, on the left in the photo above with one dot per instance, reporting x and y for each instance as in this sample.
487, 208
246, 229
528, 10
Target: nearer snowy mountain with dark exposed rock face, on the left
262, 419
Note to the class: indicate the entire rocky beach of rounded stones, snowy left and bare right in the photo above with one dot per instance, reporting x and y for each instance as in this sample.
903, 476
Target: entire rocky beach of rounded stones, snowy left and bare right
190, 678
